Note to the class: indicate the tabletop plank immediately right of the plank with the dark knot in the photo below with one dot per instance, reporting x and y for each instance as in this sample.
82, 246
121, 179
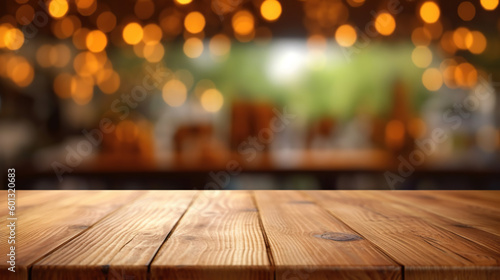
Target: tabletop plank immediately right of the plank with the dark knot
426, 250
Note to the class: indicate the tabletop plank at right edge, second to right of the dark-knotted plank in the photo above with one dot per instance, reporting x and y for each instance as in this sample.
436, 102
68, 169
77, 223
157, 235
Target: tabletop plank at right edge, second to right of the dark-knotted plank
467, 214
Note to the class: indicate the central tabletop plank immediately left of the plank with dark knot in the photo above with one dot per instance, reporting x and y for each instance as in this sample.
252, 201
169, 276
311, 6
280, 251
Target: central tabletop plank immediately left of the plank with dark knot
218, 238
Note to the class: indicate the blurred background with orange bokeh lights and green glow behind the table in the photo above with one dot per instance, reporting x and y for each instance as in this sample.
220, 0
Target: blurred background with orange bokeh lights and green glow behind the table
250, 94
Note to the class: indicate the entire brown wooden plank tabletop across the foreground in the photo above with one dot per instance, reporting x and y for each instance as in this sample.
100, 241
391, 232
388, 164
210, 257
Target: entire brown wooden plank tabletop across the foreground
283, 235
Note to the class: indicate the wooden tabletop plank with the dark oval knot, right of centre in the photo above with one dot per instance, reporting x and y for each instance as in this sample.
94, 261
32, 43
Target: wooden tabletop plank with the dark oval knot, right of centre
306, 241
